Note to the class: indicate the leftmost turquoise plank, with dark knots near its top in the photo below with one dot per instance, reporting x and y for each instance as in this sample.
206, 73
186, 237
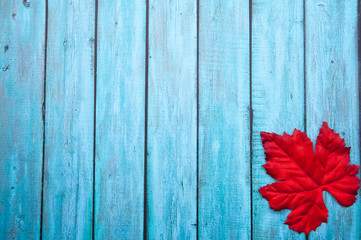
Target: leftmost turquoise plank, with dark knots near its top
22, 41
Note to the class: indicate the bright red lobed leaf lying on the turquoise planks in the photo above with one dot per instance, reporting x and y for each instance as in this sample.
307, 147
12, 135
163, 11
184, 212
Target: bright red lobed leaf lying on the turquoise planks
304, 175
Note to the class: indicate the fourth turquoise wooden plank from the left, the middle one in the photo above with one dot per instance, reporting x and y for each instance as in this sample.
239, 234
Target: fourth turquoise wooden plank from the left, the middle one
172, 120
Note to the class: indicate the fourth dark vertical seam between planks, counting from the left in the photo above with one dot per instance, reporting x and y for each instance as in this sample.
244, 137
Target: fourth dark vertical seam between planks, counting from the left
197, 213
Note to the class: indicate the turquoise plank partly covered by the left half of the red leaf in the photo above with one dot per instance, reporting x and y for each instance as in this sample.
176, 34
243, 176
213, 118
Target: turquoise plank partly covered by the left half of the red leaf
277, 97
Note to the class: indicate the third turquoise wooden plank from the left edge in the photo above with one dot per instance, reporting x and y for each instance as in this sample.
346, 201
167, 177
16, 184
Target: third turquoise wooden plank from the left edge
119, 190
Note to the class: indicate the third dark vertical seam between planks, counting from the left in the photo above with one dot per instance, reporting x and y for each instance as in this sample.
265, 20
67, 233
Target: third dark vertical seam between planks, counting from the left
145, 205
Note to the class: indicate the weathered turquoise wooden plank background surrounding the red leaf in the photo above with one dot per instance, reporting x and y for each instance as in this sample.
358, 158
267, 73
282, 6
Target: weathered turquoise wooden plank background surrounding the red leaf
131, 119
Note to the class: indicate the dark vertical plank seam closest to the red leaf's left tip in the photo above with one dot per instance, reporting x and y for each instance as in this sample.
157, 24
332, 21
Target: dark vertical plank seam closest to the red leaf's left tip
250, 114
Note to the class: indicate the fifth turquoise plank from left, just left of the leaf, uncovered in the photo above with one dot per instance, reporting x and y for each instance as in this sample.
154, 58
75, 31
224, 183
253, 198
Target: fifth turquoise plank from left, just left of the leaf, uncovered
224, 120
